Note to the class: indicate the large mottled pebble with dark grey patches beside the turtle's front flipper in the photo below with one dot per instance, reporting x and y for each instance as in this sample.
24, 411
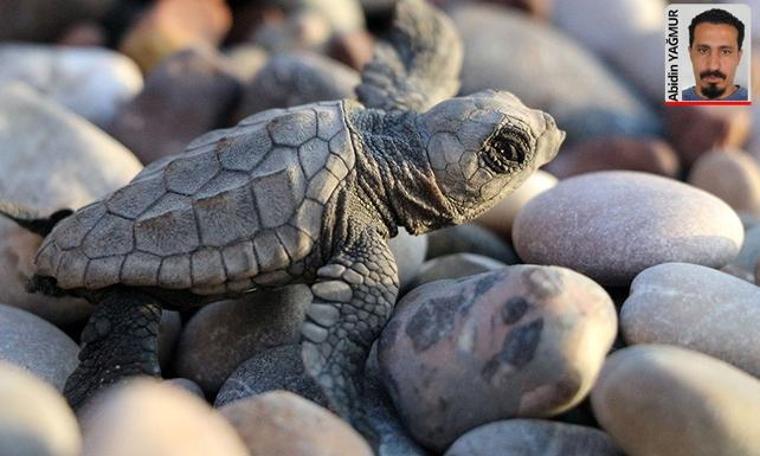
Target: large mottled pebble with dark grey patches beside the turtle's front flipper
523, 341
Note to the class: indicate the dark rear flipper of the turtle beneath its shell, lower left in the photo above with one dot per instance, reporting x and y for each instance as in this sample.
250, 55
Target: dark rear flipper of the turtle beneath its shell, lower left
120, 340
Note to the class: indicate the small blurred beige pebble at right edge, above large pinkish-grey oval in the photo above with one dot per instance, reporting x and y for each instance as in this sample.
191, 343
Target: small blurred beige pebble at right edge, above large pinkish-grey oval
731, 175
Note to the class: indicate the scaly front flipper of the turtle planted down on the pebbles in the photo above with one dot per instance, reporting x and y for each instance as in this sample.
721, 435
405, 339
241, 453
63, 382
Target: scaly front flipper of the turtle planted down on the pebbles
353, 299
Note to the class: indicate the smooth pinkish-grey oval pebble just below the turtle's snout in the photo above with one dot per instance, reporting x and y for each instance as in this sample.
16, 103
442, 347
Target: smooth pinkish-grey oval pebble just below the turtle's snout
586, 223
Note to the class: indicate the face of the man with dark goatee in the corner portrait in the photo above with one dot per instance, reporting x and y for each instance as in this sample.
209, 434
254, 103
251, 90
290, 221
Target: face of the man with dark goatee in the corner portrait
715, 55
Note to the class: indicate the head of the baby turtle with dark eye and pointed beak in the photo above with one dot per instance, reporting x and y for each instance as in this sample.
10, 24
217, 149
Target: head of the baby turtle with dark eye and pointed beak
483, 146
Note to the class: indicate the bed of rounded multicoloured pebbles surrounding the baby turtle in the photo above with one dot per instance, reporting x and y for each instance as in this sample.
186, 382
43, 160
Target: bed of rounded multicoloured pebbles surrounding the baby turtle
609, 306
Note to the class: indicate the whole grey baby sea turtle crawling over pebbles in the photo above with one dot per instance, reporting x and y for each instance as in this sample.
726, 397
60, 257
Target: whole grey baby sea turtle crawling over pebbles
309, 194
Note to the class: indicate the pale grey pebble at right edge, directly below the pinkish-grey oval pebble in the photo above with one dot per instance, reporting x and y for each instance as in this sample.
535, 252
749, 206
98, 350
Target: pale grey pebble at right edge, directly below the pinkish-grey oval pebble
697, 308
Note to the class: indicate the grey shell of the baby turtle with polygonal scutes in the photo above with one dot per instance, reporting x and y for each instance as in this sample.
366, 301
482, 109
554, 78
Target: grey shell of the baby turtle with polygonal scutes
237, 203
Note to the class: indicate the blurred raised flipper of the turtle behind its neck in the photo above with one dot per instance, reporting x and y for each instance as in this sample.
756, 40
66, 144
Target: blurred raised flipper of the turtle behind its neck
417, 65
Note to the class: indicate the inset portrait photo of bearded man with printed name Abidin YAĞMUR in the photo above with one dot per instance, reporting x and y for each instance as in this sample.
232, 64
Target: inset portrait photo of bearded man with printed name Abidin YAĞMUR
707, 54
